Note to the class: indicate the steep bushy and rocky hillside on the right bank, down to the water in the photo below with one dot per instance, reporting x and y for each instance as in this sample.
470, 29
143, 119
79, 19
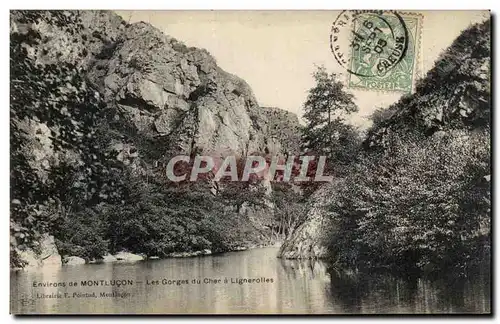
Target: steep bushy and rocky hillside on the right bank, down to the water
419, 197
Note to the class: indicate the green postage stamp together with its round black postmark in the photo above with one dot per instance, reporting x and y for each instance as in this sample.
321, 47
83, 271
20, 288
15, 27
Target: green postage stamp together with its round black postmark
382, 49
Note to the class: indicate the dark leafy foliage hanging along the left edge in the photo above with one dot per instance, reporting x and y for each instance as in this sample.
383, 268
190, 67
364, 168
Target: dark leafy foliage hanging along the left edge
64, 119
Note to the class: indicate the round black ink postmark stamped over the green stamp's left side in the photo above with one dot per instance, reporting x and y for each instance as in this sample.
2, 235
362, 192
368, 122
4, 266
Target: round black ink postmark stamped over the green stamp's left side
368, 43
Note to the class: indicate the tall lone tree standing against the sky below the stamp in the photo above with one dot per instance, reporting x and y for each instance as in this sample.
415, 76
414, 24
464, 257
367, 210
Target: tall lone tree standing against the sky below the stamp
326, 107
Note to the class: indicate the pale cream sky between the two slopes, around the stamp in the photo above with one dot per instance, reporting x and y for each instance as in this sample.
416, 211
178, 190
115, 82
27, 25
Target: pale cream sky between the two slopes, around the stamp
275, 52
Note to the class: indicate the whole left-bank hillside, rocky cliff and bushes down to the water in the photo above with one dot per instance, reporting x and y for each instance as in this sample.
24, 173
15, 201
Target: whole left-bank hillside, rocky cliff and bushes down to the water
98, 106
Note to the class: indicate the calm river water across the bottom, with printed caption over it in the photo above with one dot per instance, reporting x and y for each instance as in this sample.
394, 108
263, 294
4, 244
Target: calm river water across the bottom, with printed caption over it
296, 287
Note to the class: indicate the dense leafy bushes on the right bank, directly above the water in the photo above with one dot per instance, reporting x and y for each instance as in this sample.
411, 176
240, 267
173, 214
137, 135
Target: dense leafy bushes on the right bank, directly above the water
423, 205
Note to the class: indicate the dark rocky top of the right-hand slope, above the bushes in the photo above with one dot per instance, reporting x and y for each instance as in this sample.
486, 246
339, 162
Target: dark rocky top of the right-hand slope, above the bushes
455, 93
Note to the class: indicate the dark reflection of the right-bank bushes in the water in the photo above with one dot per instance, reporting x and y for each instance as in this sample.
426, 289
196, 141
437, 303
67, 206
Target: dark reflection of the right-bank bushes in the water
387, 294
